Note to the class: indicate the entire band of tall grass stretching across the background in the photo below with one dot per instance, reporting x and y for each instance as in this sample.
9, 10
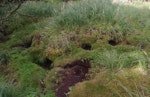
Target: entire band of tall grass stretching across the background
116, 18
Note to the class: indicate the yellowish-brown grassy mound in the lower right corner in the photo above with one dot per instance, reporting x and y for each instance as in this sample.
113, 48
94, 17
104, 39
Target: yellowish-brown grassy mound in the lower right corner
129, 83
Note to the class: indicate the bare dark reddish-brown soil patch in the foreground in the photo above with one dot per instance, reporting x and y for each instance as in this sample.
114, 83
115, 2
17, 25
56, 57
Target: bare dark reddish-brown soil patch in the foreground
72, 74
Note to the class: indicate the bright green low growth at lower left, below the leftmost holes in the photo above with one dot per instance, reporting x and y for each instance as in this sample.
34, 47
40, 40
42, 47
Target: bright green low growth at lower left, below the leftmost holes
28, 76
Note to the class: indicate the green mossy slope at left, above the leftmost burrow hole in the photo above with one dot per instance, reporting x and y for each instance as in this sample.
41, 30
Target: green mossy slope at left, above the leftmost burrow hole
20, 36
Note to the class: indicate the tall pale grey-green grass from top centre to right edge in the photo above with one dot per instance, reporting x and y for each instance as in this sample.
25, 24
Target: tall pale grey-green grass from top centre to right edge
122, 18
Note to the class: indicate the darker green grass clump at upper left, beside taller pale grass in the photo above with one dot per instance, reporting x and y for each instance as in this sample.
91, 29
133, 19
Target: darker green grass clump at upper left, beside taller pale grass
39, 9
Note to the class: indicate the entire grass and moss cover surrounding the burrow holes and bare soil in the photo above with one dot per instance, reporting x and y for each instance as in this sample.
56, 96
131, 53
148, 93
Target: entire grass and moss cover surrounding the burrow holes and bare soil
63, 28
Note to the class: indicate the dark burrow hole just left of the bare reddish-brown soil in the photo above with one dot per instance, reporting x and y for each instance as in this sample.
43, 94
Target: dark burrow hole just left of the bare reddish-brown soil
46, 64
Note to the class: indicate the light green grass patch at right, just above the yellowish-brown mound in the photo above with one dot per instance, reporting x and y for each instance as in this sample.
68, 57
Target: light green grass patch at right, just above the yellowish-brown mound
113, 59
